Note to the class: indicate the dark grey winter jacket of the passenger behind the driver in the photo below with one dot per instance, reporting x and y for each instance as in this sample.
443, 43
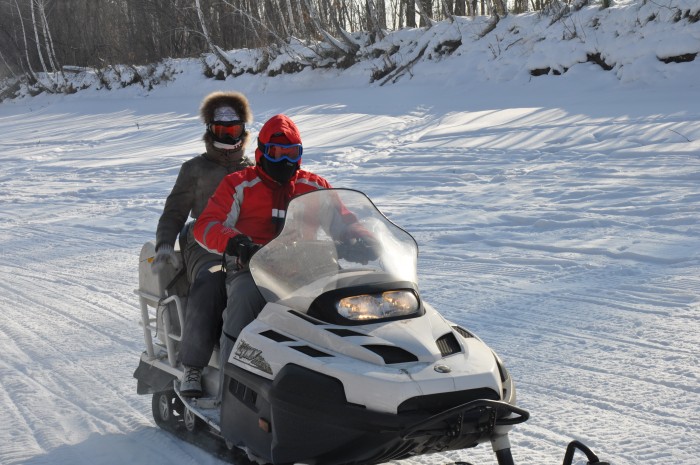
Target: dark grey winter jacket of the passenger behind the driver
198, 179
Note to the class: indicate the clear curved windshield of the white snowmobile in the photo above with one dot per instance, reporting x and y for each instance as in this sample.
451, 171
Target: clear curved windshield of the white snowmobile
332, 239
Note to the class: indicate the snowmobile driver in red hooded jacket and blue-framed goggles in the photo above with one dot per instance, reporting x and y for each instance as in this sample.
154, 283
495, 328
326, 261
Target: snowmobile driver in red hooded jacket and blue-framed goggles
245, 212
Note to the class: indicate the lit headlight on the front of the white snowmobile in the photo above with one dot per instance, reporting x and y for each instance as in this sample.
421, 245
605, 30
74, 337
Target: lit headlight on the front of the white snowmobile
389, 304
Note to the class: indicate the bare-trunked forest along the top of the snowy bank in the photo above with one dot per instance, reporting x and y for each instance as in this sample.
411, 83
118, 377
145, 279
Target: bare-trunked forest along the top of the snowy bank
52, 37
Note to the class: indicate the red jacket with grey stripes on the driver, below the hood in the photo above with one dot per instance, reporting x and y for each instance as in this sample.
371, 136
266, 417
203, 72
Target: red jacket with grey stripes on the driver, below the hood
249, 202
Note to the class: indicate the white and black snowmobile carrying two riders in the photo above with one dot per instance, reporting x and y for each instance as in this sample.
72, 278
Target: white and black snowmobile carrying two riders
346, 364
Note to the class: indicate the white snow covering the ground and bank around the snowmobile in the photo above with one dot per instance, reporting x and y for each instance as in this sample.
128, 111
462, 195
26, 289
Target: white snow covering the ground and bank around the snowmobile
557, 218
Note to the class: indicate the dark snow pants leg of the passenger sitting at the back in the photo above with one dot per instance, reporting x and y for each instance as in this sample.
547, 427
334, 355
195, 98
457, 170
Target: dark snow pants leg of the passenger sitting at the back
203, 317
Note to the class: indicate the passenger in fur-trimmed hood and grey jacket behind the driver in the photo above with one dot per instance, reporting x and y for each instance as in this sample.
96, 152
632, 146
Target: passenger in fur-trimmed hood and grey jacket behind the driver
225, 115
